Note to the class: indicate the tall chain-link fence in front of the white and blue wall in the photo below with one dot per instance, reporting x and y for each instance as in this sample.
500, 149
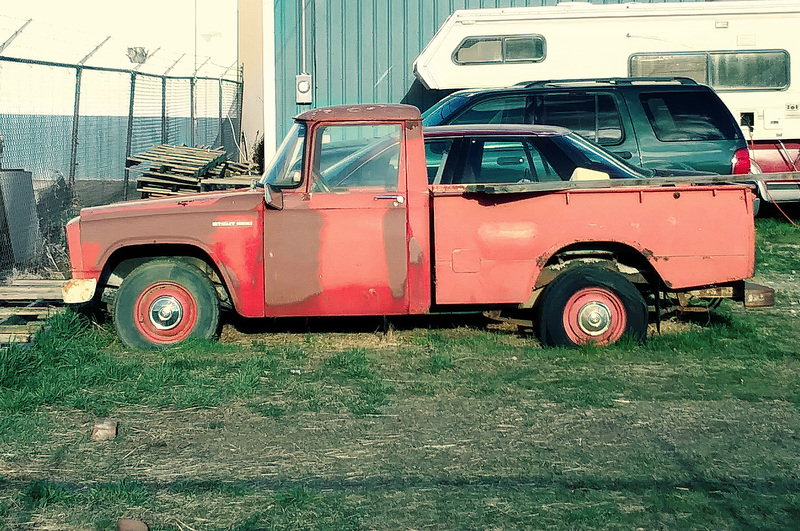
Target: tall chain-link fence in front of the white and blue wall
66, 131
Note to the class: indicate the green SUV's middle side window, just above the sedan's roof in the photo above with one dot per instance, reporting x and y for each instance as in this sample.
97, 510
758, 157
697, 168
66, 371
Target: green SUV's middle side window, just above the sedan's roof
592, 115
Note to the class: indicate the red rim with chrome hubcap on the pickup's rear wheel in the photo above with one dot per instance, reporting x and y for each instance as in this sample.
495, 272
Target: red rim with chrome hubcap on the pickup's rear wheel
594, 315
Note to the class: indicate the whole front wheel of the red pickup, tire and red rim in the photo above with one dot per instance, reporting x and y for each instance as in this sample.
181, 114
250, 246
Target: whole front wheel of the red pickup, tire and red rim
164, 302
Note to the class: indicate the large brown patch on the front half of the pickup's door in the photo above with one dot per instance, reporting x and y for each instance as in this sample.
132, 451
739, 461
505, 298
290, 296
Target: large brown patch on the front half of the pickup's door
291, 256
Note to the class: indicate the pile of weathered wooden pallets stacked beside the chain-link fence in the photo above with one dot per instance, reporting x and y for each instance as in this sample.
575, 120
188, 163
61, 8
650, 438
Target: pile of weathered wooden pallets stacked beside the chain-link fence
175, 170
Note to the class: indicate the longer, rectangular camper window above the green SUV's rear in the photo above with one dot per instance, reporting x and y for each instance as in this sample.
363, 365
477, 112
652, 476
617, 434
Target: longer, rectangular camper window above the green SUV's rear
734, 70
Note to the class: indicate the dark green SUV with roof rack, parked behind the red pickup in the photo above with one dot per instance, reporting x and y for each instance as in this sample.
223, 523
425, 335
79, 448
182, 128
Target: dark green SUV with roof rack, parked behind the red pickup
668, 123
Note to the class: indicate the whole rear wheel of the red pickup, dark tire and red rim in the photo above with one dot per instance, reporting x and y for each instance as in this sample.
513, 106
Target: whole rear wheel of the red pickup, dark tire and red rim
590, 305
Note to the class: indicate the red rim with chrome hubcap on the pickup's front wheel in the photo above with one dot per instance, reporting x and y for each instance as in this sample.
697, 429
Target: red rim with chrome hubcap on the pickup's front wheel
165, 313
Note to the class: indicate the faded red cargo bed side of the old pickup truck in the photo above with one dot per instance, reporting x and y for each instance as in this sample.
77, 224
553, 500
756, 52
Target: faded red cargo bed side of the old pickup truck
492, 241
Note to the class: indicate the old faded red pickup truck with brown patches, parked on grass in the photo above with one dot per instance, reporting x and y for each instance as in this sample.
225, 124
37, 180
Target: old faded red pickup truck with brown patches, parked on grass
350, 220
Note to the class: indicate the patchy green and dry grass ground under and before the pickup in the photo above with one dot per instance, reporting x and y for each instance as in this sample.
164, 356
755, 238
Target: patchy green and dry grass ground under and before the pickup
447, 423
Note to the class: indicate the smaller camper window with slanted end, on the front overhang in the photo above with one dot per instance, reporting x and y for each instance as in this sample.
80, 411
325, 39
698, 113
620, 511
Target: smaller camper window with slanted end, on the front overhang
500, 49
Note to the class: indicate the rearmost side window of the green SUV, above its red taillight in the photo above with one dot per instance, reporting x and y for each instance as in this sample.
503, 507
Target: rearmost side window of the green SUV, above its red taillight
687, 116
